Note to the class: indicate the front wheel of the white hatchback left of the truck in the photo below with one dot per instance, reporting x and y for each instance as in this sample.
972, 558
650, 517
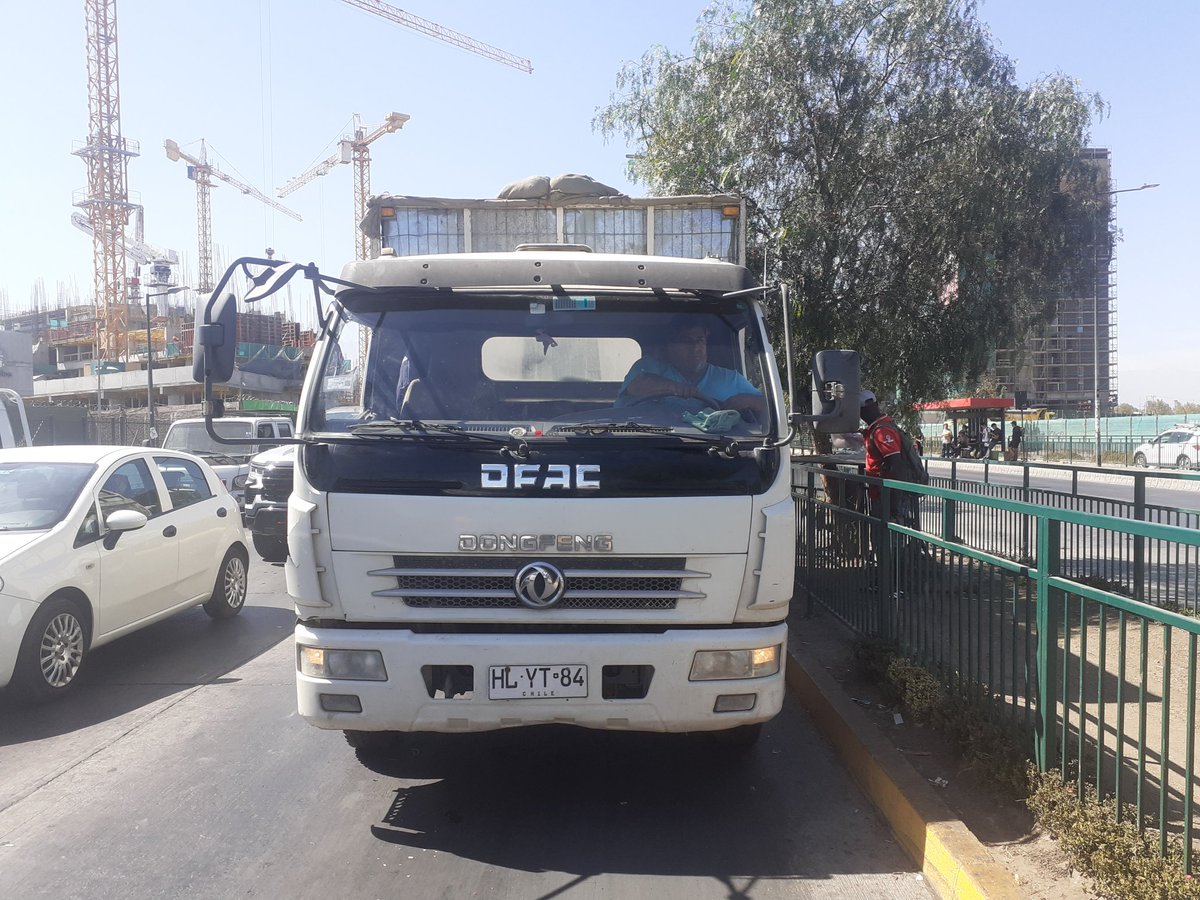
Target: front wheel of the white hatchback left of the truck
52, 653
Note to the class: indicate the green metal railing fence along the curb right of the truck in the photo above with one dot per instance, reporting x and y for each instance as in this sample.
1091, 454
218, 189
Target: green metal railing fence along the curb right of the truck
1107, 683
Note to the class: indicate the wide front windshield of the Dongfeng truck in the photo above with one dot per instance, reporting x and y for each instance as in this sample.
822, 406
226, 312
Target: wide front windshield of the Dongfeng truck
543, 367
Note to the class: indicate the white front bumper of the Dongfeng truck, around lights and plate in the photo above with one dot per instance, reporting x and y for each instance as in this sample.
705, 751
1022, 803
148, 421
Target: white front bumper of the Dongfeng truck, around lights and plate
671, 705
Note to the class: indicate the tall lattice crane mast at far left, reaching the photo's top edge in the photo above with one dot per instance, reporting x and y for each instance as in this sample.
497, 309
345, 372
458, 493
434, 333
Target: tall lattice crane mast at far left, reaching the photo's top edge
106, 200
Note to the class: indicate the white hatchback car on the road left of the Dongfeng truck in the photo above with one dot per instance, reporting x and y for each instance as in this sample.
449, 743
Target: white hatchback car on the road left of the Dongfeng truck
99, 542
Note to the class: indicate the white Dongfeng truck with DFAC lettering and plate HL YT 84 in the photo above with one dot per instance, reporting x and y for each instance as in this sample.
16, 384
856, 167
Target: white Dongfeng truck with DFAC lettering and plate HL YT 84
515, 511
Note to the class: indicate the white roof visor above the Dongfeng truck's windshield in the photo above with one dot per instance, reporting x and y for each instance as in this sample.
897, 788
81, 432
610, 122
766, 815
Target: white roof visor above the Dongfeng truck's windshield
541, 268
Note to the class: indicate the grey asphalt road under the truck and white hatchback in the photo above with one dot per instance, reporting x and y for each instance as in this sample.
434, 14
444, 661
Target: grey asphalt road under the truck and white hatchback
182, 770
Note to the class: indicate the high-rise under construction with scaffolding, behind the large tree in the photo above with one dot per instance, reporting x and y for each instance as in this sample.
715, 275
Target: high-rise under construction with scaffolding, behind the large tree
1069, 362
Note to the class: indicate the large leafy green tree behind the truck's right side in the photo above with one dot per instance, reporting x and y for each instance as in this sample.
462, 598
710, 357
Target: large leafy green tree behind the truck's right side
925, 208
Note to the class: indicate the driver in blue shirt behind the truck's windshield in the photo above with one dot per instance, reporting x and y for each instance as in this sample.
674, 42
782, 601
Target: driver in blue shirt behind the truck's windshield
685, 374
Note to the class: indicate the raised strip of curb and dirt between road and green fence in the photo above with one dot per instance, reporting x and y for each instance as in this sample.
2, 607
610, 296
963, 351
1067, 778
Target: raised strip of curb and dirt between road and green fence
969, 839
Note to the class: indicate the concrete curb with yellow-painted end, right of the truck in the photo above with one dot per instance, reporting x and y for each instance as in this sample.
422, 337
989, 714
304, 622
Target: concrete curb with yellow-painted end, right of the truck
951, 857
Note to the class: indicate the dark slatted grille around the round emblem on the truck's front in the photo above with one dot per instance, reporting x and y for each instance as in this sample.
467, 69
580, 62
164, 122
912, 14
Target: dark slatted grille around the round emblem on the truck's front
488, 583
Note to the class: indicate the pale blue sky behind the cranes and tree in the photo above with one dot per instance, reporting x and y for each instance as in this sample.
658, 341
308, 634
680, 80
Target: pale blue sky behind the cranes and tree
272, 86
